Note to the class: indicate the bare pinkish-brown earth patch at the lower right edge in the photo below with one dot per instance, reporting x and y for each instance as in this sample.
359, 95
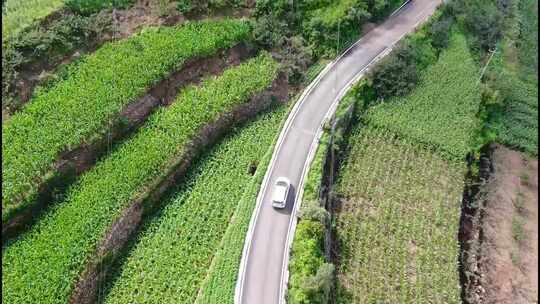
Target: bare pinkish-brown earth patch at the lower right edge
508, 253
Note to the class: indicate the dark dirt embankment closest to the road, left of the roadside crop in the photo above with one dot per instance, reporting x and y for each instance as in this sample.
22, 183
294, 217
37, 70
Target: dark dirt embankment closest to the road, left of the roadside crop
124, 227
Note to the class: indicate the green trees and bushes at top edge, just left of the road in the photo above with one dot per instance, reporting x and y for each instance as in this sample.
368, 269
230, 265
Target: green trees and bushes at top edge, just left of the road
319, 21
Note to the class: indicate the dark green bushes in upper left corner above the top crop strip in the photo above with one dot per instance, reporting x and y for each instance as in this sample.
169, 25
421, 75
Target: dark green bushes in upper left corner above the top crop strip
46, 43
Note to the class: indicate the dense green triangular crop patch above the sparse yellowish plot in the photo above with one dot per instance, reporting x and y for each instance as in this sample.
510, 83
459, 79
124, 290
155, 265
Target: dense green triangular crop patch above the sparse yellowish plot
441, 111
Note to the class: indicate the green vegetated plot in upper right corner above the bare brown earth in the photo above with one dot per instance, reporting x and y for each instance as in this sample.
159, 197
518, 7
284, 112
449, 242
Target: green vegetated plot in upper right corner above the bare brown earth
513, 81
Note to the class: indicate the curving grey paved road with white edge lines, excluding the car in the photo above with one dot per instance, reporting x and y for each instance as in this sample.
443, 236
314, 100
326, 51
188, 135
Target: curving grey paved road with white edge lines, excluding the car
263, 269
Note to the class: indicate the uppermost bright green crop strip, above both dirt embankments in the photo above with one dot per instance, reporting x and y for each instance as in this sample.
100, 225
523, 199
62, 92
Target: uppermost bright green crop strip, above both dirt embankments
94, 92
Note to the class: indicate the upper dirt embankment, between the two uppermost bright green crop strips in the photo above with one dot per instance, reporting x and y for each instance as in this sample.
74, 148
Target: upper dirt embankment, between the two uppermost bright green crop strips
73, 162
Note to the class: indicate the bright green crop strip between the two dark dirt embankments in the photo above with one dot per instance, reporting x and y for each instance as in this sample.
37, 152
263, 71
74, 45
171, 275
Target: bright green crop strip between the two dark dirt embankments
54, 252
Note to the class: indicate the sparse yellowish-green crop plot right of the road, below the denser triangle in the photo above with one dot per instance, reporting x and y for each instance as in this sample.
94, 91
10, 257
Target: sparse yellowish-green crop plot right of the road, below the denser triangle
398, 222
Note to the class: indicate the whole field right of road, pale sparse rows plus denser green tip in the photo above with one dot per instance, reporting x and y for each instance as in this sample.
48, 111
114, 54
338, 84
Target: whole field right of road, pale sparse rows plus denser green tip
401, 186
